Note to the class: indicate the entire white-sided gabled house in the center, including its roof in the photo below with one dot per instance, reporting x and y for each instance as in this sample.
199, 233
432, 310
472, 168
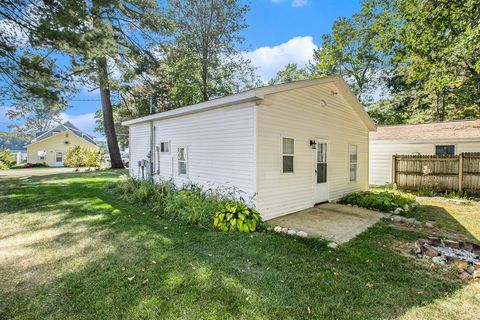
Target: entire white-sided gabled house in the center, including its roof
291, 145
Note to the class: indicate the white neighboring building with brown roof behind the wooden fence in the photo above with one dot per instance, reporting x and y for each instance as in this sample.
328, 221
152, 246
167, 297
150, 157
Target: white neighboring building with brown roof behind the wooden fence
419, 139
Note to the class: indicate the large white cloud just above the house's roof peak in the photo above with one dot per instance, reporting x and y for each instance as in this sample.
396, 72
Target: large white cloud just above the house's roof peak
270, 60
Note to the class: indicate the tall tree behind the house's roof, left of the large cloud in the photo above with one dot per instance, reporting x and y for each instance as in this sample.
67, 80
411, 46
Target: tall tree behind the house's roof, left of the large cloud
204, 59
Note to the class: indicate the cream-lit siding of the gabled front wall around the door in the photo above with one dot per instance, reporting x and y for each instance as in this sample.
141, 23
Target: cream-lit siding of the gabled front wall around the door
300, 114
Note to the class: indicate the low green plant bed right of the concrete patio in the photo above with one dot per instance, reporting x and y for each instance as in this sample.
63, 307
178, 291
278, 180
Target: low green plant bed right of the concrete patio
385, 201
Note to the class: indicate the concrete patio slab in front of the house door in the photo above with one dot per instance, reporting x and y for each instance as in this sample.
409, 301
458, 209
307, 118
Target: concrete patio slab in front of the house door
330, 221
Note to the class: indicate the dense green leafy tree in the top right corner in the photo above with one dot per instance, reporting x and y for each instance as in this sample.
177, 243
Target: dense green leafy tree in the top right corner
440, 54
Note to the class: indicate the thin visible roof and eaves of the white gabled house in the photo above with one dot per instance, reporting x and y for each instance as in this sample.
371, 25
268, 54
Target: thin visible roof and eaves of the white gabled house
258, 94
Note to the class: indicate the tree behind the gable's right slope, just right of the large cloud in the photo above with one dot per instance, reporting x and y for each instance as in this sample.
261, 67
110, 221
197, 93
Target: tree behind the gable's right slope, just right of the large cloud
351, 51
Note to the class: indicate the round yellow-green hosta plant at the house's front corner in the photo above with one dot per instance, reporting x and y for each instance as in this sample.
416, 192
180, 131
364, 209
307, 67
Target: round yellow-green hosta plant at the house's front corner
234, 216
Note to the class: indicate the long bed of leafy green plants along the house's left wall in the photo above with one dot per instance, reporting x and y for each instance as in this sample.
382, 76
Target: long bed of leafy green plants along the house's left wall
191, 204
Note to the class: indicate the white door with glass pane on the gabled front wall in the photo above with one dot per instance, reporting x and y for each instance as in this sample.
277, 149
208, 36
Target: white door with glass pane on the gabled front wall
321, 189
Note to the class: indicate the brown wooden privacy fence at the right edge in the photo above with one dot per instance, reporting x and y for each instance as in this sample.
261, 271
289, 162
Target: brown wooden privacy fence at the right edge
438, 173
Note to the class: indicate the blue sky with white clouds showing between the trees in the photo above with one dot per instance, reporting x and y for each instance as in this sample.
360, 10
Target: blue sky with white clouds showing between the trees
279, 32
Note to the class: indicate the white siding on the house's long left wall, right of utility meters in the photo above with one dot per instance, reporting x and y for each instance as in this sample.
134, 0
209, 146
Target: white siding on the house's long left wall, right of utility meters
220, 148
